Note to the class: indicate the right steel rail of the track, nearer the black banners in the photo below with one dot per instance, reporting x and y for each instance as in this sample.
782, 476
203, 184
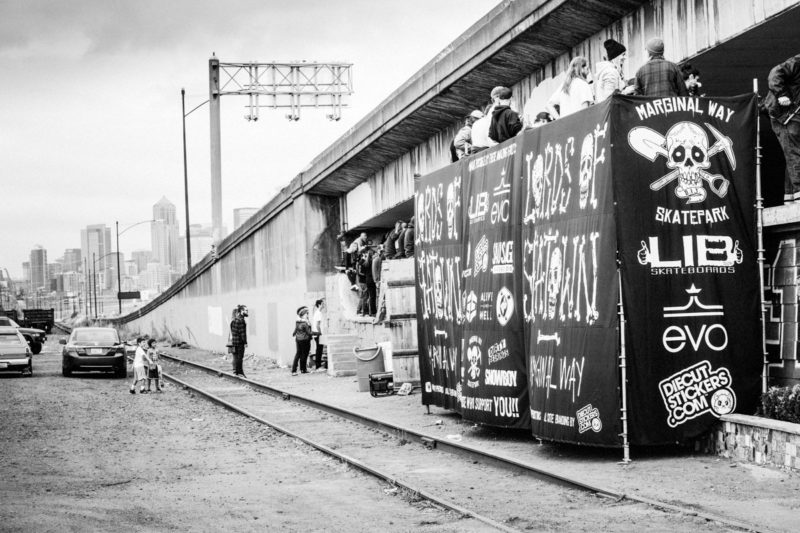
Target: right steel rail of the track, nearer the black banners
471, 451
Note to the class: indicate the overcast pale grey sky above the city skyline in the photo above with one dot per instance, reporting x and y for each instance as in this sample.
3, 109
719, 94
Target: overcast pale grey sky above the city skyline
90, 117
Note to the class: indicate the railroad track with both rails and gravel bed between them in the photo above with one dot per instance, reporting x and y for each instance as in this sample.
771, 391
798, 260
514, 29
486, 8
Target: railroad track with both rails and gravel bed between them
382, 449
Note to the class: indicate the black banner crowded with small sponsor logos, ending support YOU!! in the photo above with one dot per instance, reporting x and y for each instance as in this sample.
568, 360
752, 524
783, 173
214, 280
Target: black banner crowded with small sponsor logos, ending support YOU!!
494, 389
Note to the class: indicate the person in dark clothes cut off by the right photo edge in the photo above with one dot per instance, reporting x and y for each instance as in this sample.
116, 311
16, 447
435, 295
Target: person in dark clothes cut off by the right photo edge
783, 105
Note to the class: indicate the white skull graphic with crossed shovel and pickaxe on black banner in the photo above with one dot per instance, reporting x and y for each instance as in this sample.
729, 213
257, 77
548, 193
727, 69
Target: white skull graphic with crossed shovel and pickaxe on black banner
688, 155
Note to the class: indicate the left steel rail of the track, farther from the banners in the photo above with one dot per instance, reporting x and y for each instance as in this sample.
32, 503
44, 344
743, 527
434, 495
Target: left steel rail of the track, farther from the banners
344, 458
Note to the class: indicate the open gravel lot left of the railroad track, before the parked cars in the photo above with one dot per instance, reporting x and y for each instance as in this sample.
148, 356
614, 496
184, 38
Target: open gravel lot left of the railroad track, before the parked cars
82, 454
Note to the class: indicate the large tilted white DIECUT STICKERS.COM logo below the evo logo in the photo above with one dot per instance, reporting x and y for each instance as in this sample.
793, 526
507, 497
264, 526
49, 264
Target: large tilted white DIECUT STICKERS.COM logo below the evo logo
695, 391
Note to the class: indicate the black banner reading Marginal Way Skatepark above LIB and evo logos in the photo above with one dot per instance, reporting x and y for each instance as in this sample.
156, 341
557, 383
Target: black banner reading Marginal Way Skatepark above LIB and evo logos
683, 173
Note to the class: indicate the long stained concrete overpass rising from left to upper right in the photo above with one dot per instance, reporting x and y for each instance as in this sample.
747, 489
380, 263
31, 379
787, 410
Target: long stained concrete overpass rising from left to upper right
281, 257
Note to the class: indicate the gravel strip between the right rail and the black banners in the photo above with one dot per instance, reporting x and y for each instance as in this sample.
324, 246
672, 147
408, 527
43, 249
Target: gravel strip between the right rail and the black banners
765, 496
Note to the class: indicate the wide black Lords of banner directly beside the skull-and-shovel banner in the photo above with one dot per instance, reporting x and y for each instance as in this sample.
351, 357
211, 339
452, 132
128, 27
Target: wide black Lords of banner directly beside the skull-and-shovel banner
570, 279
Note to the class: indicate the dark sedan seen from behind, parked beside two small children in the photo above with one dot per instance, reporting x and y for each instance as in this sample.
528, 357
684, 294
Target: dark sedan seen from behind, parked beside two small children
89, 349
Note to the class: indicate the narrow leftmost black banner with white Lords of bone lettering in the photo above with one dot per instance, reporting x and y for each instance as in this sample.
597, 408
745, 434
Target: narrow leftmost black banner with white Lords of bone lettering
438, 249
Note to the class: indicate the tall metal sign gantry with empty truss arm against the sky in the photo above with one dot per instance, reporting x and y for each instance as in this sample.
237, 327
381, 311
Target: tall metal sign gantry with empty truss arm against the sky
280, 84
